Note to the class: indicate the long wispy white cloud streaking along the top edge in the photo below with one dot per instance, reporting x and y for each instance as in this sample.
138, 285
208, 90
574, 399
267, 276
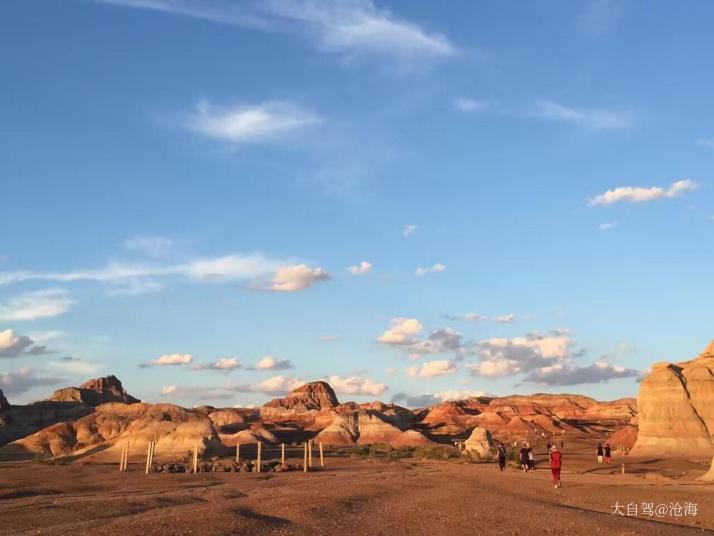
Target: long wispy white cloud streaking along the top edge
352, 29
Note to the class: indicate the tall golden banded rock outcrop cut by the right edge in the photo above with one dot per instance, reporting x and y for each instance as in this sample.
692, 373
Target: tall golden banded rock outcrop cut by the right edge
676, 408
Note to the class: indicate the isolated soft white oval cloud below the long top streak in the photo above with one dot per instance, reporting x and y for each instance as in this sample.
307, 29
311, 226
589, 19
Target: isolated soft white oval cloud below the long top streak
250, 123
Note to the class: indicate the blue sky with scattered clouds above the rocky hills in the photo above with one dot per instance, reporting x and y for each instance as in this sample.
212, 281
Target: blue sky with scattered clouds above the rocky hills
218, 200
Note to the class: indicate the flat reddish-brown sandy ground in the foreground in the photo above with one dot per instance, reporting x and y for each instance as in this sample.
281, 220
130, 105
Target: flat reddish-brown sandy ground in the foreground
353, 496
